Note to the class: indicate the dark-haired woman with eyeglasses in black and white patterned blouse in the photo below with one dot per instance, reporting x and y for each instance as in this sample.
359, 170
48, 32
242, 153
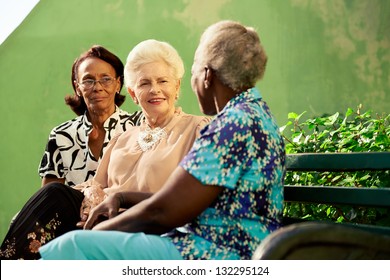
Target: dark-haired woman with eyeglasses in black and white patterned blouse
75, 146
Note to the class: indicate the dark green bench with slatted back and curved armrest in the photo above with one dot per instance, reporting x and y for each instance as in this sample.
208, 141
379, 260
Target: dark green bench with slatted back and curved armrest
299, 239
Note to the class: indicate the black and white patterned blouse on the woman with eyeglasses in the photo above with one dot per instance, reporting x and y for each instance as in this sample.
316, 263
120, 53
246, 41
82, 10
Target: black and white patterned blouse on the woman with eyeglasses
67, 153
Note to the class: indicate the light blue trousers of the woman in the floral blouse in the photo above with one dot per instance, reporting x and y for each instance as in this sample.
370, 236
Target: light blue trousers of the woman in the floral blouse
109, 245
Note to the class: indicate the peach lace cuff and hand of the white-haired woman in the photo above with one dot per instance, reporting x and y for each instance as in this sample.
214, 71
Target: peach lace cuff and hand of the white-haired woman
93, 196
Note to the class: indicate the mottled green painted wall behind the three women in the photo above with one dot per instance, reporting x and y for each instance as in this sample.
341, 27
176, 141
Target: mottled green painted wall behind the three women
324, 56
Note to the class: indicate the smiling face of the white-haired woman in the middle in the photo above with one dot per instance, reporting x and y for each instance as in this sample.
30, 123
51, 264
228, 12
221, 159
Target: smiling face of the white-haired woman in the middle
156, 92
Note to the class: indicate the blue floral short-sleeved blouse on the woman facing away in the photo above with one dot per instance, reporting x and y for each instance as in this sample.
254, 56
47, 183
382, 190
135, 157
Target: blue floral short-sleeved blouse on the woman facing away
242, 151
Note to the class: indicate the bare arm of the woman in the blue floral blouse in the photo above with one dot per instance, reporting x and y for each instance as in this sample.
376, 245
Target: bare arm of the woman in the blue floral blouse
179, 201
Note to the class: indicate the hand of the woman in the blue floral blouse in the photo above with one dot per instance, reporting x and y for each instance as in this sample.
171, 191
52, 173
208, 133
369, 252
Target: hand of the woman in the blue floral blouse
108, 209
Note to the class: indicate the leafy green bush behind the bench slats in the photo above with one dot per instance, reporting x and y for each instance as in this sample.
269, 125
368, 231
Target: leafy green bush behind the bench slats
356, 131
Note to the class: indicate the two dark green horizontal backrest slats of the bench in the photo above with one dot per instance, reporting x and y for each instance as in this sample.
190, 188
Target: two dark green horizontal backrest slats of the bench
335, 194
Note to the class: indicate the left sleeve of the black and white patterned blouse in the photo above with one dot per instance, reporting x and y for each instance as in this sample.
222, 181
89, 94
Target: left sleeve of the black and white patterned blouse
51, 164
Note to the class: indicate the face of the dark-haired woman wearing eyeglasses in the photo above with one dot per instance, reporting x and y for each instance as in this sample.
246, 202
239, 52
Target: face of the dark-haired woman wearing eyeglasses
99, 98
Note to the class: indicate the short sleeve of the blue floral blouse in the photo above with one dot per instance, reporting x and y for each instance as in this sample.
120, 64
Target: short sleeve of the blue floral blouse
220, 154
